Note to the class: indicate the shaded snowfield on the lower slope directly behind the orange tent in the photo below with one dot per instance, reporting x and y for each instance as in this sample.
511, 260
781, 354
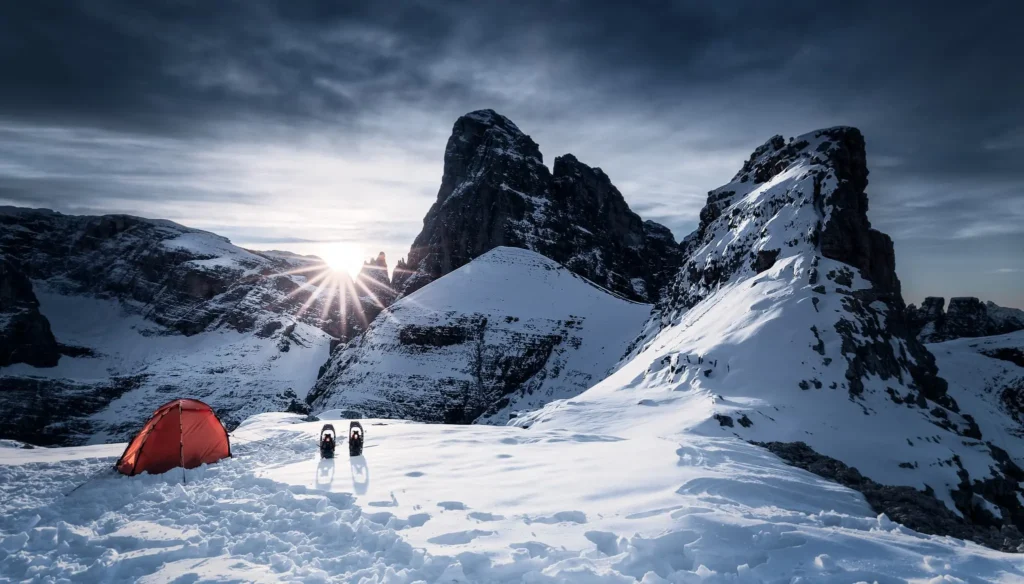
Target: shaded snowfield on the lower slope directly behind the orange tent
133, 369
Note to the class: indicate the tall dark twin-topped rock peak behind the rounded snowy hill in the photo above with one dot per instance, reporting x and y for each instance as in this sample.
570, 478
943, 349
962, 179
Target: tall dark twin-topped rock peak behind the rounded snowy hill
497, 192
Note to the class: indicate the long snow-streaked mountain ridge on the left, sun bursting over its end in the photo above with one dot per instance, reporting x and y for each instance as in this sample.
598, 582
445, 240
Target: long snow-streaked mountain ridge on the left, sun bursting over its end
103, 319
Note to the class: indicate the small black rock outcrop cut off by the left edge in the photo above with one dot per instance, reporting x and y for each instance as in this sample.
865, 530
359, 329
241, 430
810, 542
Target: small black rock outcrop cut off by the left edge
25, 335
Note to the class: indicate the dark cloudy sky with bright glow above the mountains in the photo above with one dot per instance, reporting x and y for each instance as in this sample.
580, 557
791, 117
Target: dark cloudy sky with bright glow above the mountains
294, 123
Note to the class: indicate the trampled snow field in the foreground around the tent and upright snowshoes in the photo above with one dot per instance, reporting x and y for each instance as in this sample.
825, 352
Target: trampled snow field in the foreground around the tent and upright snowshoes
438, 504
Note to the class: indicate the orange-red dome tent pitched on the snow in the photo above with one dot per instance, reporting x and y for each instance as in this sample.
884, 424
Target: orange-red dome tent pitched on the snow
183, 433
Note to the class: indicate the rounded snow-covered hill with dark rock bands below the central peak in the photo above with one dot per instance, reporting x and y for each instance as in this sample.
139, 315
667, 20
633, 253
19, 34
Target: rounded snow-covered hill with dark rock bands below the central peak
509, 331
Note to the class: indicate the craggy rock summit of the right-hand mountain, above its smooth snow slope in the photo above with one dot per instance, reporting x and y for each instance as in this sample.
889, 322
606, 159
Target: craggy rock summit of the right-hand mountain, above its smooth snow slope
804, 199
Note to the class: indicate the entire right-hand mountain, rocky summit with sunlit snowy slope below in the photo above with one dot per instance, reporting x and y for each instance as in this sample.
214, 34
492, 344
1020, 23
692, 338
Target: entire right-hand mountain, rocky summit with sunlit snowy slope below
769, 340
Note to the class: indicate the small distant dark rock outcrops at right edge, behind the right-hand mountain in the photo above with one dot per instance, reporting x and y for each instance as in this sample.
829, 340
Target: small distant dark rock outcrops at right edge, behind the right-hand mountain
966, 317
